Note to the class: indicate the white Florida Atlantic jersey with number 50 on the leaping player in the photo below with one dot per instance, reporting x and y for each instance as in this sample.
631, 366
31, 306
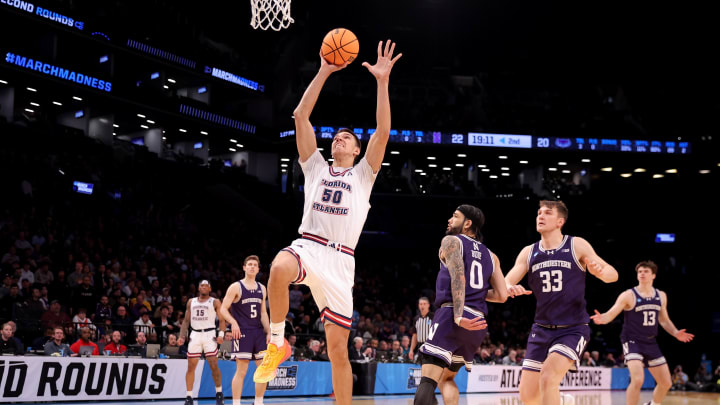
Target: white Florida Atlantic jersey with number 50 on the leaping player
337, 200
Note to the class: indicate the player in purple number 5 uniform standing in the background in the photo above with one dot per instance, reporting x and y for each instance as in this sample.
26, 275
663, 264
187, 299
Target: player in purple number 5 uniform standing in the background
244, 307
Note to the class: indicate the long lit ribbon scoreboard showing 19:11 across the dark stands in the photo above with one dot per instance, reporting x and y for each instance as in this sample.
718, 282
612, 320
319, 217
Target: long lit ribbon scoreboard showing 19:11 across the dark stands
483, 139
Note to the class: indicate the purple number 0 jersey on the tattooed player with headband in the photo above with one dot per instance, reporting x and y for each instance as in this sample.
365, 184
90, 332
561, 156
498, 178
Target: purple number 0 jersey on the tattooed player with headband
479, 267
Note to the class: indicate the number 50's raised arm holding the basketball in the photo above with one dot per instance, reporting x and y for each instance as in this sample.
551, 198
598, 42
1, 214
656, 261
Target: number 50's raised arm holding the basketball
304, 134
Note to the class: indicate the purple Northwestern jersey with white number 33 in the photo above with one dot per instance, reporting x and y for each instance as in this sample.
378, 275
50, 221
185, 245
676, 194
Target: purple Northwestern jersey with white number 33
557, 280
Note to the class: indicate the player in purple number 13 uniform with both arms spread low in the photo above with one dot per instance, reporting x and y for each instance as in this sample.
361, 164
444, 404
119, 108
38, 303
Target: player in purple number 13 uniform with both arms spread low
645, 307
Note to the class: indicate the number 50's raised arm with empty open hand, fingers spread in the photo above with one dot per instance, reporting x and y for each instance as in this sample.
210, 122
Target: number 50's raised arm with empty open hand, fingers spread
381, 70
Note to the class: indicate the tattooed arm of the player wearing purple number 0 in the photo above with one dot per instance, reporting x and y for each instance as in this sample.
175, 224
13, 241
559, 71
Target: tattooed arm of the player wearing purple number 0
451, 255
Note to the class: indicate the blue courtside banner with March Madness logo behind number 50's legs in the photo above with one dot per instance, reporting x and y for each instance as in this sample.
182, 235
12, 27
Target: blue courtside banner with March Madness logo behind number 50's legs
294, 378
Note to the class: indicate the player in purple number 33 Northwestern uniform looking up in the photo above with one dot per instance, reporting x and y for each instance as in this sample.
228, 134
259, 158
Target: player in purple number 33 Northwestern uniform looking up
556, 268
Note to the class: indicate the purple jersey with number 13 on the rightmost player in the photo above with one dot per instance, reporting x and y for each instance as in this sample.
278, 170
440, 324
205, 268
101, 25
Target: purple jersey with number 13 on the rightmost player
641, 322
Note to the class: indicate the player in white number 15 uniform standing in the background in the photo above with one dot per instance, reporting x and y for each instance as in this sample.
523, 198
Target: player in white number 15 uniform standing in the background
200, 317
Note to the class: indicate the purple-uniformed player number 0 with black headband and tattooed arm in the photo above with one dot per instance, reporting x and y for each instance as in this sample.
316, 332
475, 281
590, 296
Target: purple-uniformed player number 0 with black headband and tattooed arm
467, 270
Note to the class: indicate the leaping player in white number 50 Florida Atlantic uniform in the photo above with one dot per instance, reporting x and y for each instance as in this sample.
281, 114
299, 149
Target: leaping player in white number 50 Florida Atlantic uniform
336, 206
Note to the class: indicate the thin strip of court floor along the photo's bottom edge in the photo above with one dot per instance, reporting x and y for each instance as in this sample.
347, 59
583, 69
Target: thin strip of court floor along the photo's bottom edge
581, 398
